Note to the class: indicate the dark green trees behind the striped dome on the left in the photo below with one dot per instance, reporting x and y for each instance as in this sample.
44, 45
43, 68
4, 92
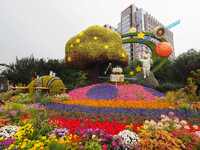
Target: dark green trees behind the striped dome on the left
23, 69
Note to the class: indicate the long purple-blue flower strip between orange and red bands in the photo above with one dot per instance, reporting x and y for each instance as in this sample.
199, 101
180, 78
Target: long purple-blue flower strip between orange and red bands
103, 110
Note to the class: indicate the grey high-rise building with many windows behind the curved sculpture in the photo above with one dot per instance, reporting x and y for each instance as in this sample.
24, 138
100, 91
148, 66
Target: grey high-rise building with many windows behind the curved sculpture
133, 17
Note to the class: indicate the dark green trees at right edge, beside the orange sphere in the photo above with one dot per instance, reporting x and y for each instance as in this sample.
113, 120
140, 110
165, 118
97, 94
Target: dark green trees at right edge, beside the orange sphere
179, 69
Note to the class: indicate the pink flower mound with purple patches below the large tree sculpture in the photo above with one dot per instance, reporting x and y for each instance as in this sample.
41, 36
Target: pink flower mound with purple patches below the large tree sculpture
110, 91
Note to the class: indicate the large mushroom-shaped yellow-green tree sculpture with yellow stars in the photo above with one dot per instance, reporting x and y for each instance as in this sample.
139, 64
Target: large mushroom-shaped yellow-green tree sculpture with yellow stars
93, 49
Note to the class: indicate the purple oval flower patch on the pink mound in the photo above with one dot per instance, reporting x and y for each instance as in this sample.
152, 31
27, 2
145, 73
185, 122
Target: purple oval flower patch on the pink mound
102, 91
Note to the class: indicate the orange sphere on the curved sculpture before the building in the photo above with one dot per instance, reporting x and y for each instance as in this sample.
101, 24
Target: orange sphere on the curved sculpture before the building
164, 49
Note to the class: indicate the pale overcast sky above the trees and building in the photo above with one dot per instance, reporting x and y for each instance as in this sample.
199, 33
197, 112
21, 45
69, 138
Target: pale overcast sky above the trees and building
42, 28
